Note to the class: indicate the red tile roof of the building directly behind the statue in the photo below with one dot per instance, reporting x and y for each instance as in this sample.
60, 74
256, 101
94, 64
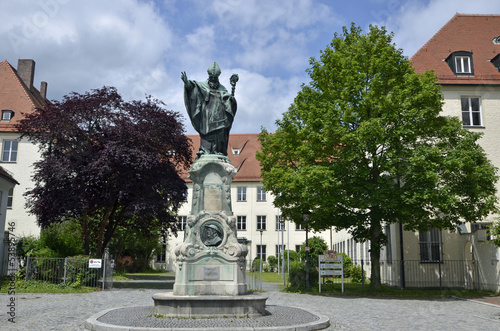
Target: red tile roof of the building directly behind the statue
245, 162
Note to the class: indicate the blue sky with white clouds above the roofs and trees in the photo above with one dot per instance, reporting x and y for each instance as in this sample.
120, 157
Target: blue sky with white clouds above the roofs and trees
141, 46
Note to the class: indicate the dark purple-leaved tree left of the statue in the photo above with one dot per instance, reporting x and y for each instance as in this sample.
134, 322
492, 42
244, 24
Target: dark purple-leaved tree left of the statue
105, 162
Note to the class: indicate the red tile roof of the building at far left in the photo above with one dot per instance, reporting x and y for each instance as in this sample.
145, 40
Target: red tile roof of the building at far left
16, 96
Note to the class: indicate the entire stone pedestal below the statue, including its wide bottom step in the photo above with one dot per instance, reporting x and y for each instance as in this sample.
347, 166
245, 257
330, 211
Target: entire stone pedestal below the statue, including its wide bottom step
210, 277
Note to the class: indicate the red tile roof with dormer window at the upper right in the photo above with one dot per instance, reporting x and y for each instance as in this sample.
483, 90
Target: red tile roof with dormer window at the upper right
470, 33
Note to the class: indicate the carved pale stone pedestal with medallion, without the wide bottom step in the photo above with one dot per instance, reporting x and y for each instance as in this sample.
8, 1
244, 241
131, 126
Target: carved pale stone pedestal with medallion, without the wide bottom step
210, 261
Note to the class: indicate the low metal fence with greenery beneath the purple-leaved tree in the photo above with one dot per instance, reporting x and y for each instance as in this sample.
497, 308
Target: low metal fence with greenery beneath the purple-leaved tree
70, 271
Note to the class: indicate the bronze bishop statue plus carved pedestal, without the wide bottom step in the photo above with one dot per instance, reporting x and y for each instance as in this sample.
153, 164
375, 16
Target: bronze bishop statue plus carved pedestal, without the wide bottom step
210, 261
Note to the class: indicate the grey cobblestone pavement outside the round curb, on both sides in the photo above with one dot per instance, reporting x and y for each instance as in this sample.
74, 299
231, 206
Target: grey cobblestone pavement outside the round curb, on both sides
69, 311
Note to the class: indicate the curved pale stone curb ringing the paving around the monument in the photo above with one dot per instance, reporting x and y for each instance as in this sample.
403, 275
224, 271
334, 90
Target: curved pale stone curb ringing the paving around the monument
93, 324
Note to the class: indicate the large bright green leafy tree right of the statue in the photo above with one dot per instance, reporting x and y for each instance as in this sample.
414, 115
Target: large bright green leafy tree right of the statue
364, 145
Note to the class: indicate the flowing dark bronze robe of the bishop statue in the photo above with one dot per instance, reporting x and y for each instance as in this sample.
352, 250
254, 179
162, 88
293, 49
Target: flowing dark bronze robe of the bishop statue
211, 112
